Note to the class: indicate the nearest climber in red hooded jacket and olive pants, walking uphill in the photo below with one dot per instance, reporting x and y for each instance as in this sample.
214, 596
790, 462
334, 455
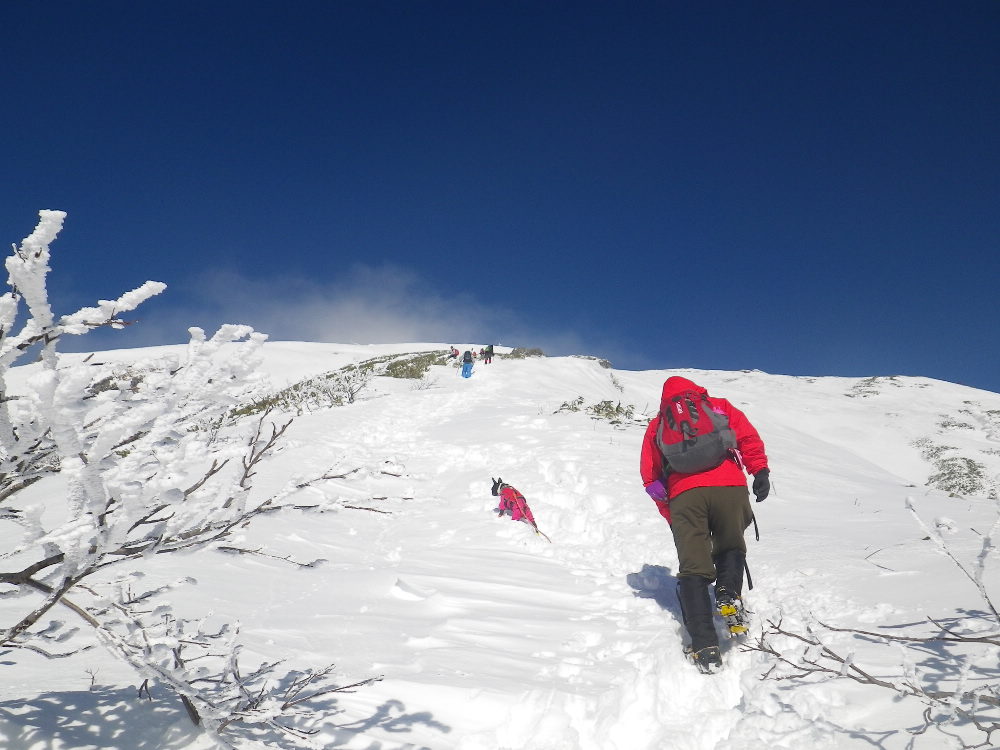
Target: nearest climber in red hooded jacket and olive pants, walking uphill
693, 458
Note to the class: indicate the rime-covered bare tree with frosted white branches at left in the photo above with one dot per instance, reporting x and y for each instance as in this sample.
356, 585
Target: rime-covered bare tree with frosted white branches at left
149, 465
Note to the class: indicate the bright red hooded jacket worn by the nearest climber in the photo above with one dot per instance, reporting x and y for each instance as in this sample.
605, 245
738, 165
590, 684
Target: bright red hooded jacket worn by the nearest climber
727, 474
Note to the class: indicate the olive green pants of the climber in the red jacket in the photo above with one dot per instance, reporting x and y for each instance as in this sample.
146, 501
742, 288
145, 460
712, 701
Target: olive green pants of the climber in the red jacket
708, 521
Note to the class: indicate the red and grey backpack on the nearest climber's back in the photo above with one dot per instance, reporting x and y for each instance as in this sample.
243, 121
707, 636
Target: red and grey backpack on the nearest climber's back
691, 436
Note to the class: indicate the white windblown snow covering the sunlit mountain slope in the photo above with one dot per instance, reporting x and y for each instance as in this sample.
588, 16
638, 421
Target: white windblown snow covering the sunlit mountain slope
489, 637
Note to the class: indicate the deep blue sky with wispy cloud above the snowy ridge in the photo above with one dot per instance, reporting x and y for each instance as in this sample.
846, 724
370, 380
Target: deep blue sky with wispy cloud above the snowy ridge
799, 187
